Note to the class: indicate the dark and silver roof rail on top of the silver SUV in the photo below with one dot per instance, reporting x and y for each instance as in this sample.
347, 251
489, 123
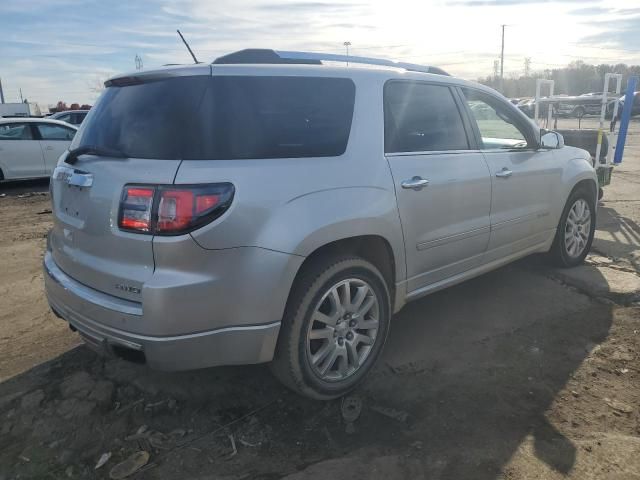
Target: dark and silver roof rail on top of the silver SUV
259, 55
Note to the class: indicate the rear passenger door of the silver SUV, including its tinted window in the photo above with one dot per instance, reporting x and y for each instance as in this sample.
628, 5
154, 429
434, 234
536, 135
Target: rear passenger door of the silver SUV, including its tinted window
443, 186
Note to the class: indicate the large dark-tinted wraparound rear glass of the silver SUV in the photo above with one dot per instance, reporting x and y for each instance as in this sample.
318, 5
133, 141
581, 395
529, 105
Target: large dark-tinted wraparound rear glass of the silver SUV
223, 117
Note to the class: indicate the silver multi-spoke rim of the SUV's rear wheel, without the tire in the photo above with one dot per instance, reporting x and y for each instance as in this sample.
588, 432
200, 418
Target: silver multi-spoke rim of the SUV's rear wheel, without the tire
343, 329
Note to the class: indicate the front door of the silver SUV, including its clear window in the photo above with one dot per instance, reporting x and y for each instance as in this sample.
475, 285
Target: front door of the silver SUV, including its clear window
526, 180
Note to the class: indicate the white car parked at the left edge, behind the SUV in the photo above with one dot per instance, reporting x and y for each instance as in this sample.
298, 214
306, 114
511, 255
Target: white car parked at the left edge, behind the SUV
30, 147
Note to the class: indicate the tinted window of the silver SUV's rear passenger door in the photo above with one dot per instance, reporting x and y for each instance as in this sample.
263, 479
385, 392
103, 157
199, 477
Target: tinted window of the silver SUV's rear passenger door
422, 117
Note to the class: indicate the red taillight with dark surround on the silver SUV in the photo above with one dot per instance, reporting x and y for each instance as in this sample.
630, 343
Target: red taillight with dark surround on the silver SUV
172, 209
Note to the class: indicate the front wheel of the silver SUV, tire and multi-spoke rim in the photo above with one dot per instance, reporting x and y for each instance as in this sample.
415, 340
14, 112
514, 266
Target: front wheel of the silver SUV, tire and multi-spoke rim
575, 231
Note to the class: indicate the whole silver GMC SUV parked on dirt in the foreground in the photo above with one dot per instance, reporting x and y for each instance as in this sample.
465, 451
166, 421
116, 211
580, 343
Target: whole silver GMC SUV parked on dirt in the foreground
271, 208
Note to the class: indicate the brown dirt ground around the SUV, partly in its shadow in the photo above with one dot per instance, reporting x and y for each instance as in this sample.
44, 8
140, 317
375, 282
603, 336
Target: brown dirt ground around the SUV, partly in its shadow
525, 373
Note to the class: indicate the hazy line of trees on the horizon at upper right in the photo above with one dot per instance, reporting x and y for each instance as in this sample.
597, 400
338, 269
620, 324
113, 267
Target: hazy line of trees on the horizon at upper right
575, 79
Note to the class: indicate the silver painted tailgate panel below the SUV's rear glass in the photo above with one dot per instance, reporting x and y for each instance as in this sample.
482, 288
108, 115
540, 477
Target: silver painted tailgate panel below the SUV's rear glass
86, 242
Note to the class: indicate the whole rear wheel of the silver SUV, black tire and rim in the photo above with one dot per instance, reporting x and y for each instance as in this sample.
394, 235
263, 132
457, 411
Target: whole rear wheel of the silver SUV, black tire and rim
305, 361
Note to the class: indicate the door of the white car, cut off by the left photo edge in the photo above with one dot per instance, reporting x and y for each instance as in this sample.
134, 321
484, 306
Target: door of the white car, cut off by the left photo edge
20, 153
